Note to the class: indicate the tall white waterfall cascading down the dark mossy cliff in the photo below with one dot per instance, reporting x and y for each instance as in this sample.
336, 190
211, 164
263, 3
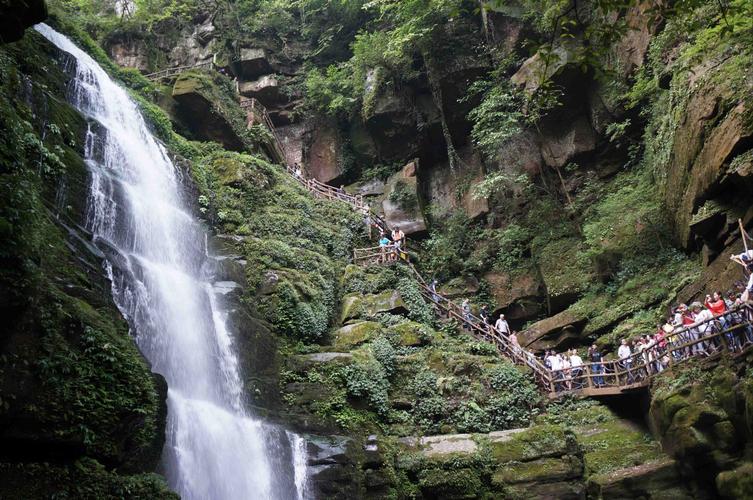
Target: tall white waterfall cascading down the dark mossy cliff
162, 283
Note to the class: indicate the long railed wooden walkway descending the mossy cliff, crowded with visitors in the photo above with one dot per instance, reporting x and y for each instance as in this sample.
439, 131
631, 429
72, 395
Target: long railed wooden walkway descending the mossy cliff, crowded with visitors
729, 335
